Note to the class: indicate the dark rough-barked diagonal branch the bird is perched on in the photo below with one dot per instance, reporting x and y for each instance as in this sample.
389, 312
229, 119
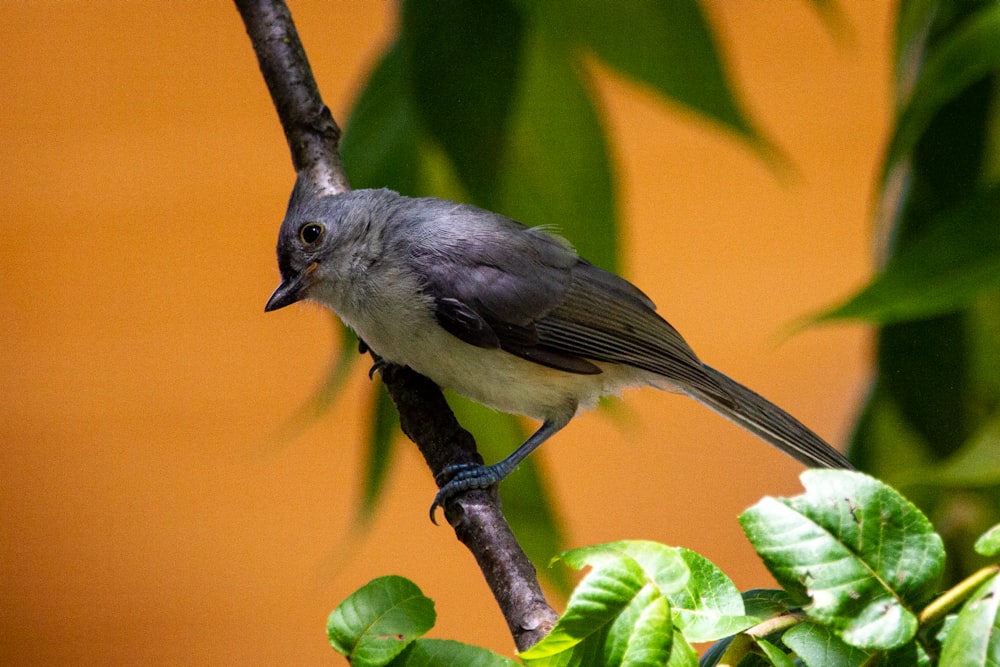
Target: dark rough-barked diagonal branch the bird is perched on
313, 139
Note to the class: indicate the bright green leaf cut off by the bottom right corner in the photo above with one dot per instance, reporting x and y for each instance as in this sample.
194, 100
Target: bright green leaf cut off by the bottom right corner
974, 639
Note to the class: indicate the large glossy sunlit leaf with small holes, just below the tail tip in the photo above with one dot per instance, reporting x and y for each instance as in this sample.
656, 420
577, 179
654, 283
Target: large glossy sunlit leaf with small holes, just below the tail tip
855, 549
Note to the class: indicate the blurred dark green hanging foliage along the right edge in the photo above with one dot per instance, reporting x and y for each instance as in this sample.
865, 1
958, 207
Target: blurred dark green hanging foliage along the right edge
931, 425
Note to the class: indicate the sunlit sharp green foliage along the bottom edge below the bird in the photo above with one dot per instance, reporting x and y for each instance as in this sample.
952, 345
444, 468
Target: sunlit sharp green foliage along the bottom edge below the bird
858, 563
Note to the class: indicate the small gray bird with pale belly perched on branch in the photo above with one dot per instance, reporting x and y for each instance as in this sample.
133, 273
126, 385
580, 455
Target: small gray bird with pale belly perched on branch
507, 315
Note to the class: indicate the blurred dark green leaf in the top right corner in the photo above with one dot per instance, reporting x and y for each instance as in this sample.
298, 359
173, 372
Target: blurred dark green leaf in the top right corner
963, 57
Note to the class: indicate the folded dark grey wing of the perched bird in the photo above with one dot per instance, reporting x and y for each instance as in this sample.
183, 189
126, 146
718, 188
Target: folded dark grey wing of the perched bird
527, 292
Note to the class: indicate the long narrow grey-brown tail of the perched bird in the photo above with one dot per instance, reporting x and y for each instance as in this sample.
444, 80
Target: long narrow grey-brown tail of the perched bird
768, 422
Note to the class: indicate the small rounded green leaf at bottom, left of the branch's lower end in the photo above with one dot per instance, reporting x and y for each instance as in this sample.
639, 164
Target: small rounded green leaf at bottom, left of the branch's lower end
376, 622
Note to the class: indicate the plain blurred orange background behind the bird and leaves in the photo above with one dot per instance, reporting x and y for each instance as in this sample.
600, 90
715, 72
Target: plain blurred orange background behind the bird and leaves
146, 519
